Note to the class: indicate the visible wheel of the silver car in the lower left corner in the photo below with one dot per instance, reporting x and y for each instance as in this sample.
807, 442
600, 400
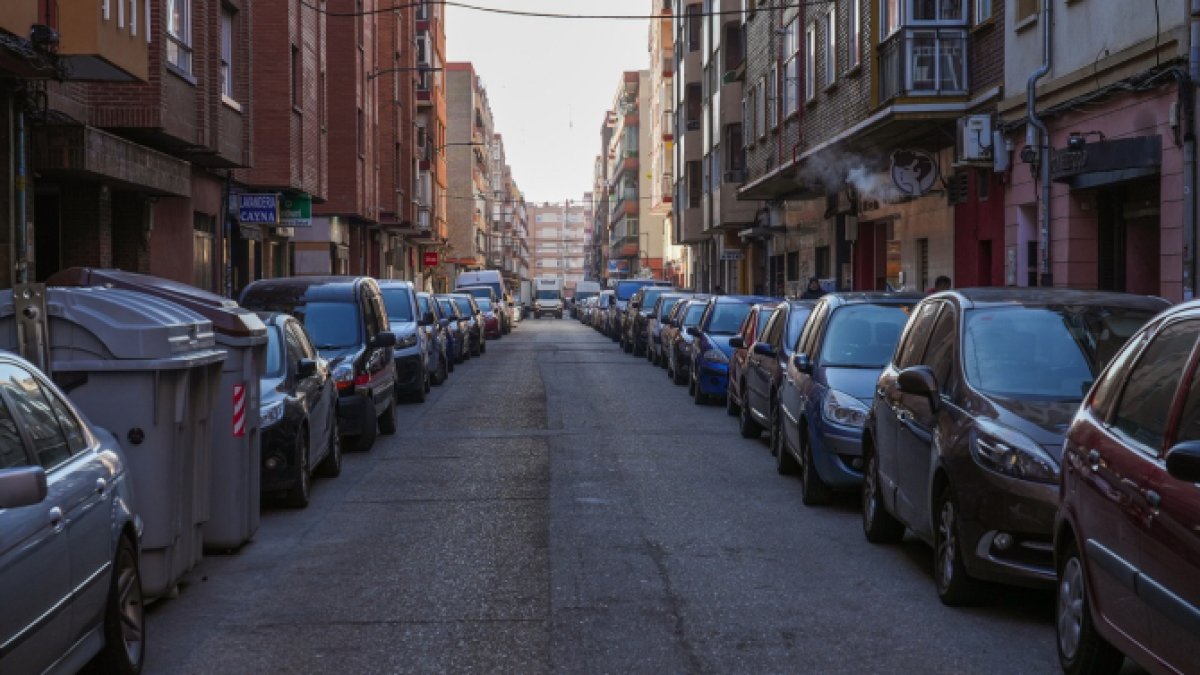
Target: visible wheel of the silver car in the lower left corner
125, 647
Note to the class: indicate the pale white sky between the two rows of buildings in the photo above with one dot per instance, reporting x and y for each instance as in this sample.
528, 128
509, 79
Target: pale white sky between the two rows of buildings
550, 82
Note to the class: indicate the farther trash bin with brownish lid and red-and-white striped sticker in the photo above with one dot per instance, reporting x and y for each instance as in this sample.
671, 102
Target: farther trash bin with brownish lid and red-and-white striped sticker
236, 475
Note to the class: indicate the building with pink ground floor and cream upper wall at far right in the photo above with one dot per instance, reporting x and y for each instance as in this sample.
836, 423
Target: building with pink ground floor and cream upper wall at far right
1118, 109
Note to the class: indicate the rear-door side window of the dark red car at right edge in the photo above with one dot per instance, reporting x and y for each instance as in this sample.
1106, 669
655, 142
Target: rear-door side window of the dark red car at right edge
1150, 391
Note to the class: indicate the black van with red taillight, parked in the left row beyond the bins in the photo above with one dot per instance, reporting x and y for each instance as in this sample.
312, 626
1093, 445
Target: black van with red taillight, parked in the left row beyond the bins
349, 325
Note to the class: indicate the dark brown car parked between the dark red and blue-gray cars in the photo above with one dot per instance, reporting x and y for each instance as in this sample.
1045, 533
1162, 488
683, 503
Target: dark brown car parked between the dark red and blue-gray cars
967, 429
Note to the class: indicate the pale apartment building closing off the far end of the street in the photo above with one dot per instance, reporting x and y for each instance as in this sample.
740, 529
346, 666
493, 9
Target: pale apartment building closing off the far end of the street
560, 240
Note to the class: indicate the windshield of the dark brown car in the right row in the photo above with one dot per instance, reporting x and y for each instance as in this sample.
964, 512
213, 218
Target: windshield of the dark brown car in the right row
1052, 353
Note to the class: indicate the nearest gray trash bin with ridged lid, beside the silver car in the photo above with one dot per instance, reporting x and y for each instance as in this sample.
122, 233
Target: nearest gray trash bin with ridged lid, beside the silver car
147, 371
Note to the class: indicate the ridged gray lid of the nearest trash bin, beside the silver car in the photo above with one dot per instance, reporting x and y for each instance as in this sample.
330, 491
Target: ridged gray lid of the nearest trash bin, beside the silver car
110, 324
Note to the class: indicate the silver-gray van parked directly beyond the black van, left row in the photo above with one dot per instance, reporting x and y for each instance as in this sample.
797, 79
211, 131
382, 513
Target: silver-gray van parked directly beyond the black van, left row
412, 353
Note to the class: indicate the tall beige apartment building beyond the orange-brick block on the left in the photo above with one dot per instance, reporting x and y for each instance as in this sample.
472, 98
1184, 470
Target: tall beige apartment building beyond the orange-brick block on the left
469, 157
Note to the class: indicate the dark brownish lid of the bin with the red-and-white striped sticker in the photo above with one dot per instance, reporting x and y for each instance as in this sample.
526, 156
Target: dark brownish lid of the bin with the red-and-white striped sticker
230, 320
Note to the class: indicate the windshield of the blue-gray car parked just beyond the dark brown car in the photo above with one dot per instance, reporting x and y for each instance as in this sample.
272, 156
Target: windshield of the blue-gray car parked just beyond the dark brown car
863, 336
